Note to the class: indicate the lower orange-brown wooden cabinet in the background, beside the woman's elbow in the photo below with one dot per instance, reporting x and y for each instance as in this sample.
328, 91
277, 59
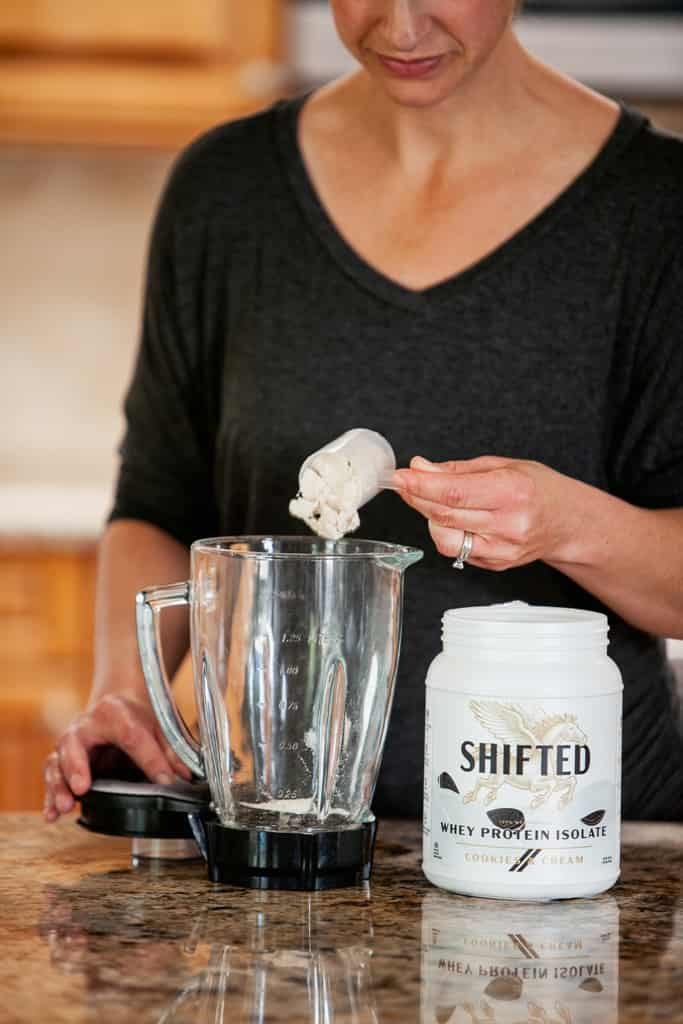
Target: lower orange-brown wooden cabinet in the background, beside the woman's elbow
47, 625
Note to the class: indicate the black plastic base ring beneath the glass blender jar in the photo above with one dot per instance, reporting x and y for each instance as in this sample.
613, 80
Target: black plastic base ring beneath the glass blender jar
260, 860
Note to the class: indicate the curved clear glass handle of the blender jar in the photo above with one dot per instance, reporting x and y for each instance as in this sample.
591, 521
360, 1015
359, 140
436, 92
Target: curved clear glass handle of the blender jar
149, 605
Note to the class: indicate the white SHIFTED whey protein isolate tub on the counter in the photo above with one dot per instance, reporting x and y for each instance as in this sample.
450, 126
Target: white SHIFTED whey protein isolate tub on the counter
523, 755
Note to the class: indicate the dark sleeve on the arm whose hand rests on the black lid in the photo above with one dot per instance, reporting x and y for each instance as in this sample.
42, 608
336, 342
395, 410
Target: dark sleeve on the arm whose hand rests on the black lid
166, 472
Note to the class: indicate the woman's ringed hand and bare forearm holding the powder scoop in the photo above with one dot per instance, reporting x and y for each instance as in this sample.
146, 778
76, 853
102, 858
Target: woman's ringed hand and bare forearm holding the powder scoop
630, 559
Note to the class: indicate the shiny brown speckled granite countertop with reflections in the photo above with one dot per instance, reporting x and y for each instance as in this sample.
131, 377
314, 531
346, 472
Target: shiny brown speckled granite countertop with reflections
88, 937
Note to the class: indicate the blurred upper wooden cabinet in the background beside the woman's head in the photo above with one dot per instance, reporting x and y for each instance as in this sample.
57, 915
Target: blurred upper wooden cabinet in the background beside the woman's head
135, 72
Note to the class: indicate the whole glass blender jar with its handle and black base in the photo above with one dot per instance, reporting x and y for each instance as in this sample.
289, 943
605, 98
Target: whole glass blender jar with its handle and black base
295, 648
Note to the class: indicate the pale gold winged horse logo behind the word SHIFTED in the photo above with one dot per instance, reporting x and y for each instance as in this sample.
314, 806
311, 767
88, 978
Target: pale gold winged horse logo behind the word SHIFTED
541, 753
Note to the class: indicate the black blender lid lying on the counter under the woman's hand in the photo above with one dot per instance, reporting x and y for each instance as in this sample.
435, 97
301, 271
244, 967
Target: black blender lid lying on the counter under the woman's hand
115, 807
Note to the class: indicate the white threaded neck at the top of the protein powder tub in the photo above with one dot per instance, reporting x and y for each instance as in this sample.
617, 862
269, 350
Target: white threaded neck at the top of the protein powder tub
517, 620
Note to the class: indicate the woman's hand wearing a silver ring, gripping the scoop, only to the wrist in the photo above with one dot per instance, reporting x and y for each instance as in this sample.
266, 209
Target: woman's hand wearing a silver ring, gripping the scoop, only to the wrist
518, 511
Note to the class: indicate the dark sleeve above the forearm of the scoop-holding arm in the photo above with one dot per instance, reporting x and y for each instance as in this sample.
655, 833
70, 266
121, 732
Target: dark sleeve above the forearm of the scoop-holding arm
649, 459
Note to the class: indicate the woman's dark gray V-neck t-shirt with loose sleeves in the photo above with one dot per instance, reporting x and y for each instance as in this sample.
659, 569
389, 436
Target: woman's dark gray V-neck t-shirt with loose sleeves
266, 335
